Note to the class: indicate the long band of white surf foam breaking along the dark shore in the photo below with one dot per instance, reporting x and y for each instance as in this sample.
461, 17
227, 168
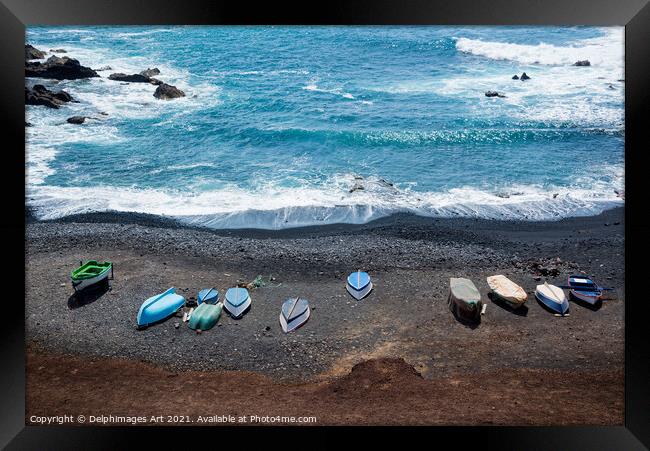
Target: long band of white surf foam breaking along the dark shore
277, 208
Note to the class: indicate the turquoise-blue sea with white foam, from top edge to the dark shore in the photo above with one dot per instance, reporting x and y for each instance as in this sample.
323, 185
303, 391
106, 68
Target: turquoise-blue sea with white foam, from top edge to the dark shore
279, 124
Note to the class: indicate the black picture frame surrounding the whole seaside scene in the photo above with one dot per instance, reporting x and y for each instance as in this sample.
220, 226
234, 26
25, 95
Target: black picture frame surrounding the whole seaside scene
633, 14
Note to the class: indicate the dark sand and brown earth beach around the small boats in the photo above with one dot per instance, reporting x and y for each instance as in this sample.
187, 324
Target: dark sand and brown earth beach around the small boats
518, 355
